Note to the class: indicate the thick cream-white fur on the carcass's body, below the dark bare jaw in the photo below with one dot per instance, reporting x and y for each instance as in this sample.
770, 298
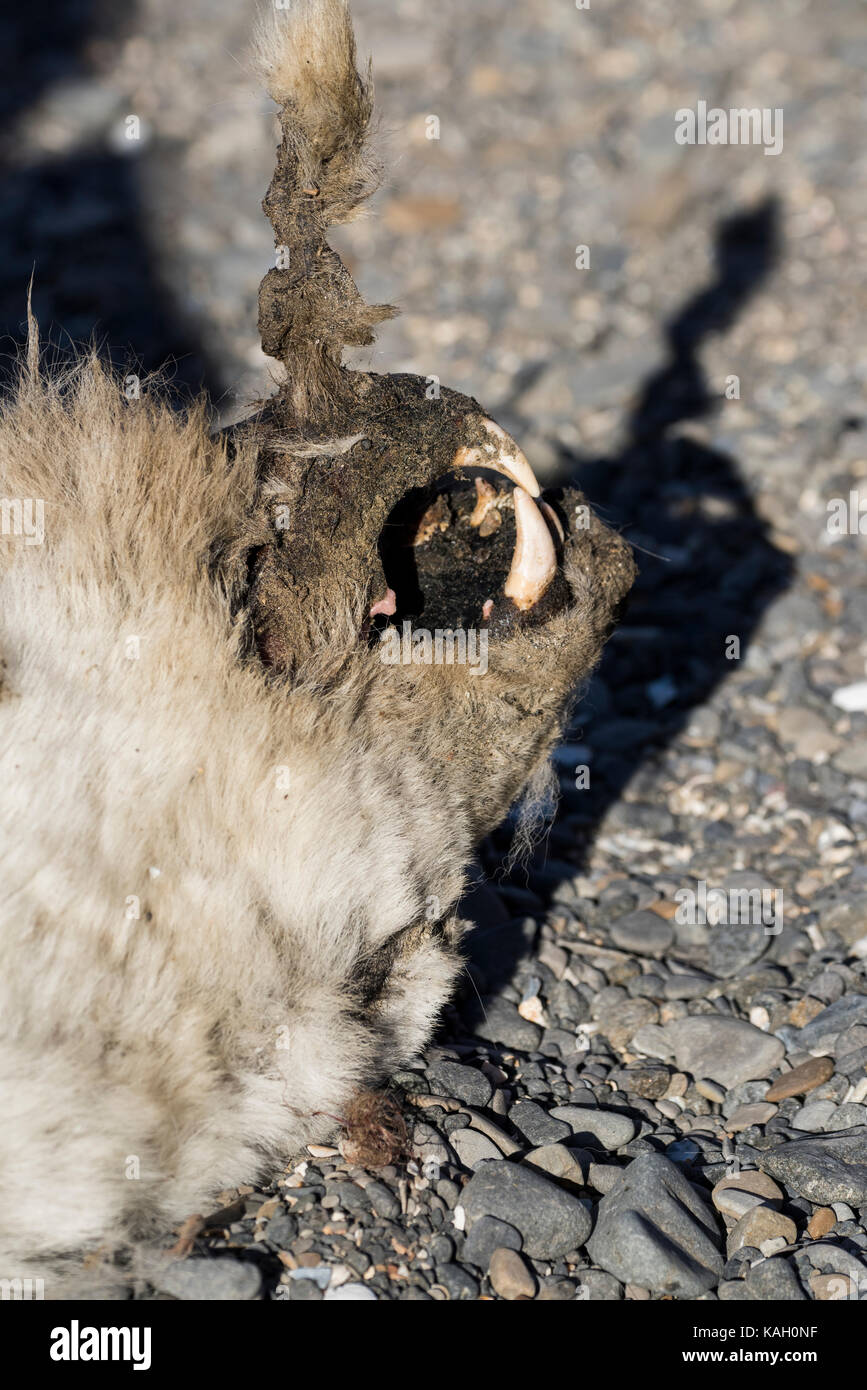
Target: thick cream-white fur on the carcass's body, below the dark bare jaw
272, 844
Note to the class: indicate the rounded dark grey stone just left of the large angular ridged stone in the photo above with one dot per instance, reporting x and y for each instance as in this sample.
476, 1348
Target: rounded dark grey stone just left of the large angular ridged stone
551, 1221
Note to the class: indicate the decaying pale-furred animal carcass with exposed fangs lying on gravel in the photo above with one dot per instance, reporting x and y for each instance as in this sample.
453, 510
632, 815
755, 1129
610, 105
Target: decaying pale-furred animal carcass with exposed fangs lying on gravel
224, 817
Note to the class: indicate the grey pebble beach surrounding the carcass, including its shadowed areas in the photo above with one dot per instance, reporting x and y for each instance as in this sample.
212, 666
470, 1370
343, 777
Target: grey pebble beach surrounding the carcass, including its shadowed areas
654, 1079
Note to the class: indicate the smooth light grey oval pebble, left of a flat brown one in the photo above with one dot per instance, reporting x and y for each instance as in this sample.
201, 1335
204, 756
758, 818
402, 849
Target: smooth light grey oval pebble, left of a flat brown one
726, 1050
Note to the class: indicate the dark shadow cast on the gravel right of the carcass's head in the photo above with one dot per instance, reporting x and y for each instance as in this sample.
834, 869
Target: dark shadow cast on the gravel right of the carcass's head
708, 572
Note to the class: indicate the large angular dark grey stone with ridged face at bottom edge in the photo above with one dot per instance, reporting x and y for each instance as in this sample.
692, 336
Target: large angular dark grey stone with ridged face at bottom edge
655, 1231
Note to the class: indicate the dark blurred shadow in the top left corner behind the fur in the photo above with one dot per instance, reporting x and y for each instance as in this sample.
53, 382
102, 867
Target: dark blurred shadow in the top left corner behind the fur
74, 219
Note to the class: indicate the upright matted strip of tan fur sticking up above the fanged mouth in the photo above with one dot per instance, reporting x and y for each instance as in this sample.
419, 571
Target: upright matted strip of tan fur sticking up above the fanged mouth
309, 305
